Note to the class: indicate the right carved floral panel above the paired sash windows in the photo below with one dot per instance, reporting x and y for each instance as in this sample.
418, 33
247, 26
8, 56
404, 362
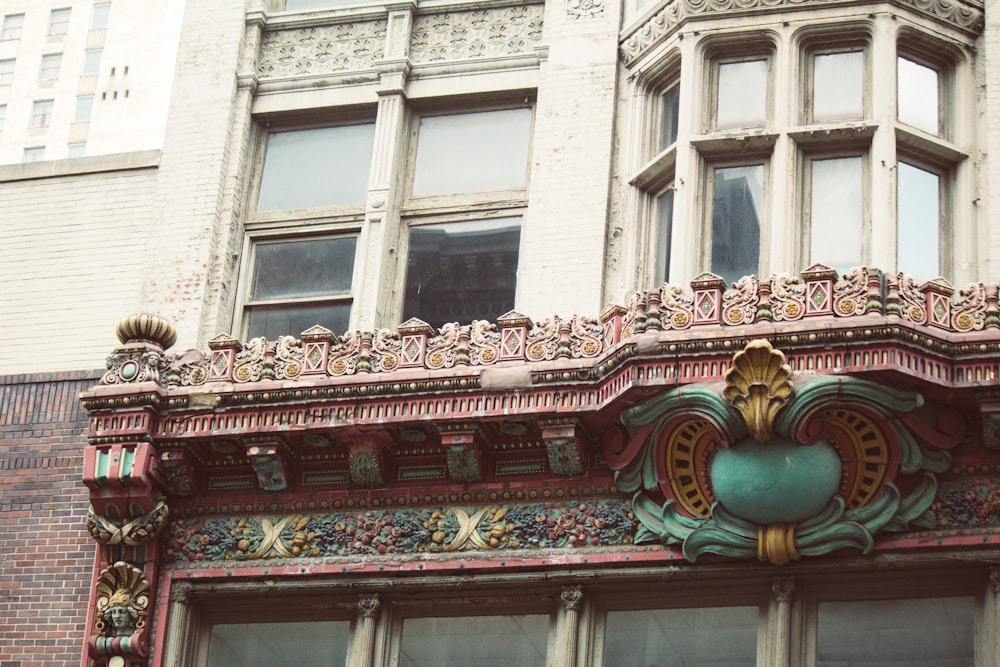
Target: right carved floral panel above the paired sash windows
478, 33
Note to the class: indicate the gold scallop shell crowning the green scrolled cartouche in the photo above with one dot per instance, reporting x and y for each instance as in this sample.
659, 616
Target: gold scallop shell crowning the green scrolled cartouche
759, 385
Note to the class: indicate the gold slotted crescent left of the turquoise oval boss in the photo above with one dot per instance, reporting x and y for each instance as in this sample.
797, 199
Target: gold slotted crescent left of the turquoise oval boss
687, 466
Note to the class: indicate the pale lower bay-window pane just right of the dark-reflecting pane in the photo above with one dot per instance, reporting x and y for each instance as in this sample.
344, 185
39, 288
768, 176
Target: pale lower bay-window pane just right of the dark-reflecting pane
836, 213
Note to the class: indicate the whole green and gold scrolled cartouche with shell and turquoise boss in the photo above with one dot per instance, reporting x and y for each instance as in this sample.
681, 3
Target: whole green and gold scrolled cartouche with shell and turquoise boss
779, 467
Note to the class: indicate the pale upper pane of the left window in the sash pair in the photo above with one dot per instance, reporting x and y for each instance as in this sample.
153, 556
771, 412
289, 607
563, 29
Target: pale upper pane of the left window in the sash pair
326, 166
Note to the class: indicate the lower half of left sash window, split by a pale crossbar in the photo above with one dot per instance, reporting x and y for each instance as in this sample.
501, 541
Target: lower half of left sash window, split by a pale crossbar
298, 283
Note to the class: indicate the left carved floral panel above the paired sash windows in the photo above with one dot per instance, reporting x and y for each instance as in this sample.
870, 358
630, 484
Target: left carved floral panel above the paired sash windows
321, 50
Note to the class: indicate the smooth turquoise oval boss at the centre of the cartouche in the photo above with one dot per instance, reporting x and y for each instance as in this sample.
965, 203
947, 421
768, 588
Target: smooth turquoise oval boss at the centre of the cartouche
775, 482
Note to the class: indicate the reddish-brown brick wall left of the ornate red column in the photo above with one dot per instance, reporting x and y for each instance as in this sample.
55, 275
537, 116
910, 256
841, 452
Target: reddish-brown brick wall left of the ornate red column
46, 556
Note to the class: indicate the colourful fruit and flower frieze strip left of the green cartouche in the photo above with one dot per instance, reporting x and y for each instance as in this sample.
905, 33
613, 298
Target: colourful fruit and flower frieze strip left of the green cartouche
401, 531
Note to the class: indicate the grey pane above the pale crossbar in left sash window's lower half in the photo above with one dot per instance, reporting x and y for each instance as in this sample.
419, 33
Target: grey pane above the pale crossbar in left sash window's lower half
321, 267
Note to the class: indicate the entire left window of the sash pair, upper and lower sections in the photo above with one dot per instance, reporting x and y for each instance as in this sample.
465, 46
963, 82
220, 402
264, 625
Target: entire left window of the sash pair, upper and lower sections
303, 238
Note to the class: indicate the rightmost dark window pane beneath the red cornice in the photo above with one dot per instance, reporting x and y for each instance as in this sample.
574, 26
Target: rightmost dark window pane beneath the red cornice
896, 633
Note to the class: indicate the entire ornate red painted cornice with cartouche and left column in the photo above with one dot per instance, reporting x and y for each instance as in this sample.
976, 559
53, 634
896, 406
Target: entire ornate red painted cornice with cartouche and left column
763, 424
